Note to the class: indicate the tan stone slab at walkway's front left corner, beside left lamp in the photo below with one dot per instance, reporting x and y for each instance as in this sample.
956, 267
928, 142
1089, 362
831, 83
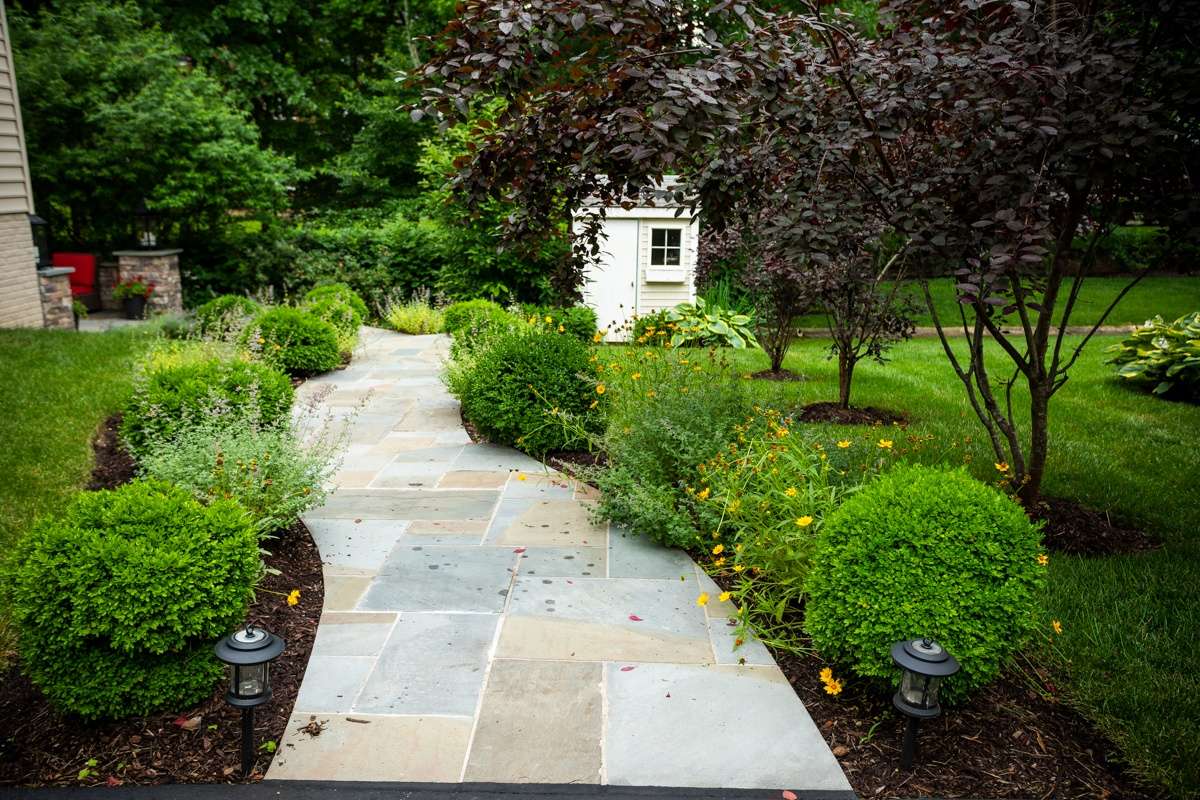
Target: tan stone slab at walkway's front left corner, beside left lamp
374, 749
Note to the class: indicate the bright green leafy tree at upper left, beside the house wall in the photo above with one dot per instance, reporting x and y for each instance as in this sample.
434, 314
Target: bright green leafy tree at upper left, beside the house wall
112, 117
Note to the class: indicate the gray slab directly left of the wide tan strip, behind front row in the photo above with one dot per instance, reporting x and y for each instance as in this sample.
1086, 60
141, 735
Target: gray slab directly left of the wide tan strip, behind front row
433, 664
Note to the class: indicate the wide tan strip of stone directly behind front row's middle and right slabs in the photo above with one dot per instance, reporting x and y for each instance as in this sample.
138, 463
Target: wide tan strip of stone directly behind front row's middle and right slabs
541, 637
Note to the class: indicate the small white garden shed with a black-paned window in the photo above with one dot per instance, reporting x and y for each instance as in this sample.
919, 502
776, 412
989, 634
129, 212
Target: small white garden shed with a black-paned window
647, 263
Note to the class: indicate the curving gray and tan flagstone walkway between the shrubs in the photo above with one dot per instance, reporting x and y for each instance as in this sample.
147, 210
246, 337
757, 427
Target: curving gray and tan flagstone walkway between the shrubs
479, 628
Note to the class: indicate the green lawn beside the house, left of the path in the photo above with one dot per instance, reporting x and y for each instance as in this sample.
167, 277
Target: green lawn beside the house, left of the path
58, 388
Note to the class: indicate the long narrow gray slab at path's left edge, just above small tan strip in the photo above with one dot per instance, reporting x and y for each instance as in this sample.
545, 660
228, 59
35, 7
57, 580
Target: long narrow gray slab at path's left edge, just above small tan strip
417, 504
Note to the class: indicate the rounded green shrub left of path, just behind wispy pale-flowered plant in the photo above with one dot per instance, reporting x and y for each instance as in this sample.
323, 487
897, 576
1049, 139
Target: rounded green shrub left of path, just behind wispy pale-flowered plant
179, 386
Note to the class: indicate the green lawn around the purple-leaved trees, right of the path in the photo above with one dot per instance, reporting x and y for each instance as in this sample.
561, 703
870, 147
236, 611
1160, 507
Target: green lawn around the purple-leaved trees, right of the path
1130, 646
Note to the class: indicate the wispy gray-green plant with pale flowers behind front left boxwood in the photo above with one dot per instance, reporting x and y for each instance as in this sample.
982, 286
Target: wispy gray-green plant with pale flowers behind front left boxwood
275, 472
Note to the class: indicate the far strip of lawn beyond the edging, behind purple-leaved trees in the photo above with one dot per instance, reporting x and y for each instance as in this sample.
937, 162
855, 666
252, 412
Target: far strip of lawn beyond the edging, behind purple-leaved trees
1169, 297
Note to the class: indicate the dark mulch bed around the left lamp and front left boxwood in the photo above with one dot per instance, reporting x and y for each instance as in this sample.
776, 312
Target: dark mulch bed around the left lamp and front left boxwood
41, 748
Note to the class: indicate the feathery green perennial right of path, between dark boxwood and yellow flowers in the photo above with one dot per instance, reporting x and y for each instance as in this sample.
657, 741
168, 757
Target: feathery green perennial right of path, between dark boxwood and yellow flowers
671, 411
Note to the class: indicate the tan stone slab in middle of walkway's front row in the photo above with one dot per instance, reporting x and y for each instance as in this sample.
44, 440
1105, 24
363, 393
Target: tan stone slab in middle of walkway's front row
541, 723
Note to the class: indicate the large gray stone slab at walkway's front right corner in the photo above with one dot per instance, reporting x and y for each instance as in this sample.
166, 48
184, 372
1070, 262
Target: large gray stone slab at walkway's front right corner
765, 737
